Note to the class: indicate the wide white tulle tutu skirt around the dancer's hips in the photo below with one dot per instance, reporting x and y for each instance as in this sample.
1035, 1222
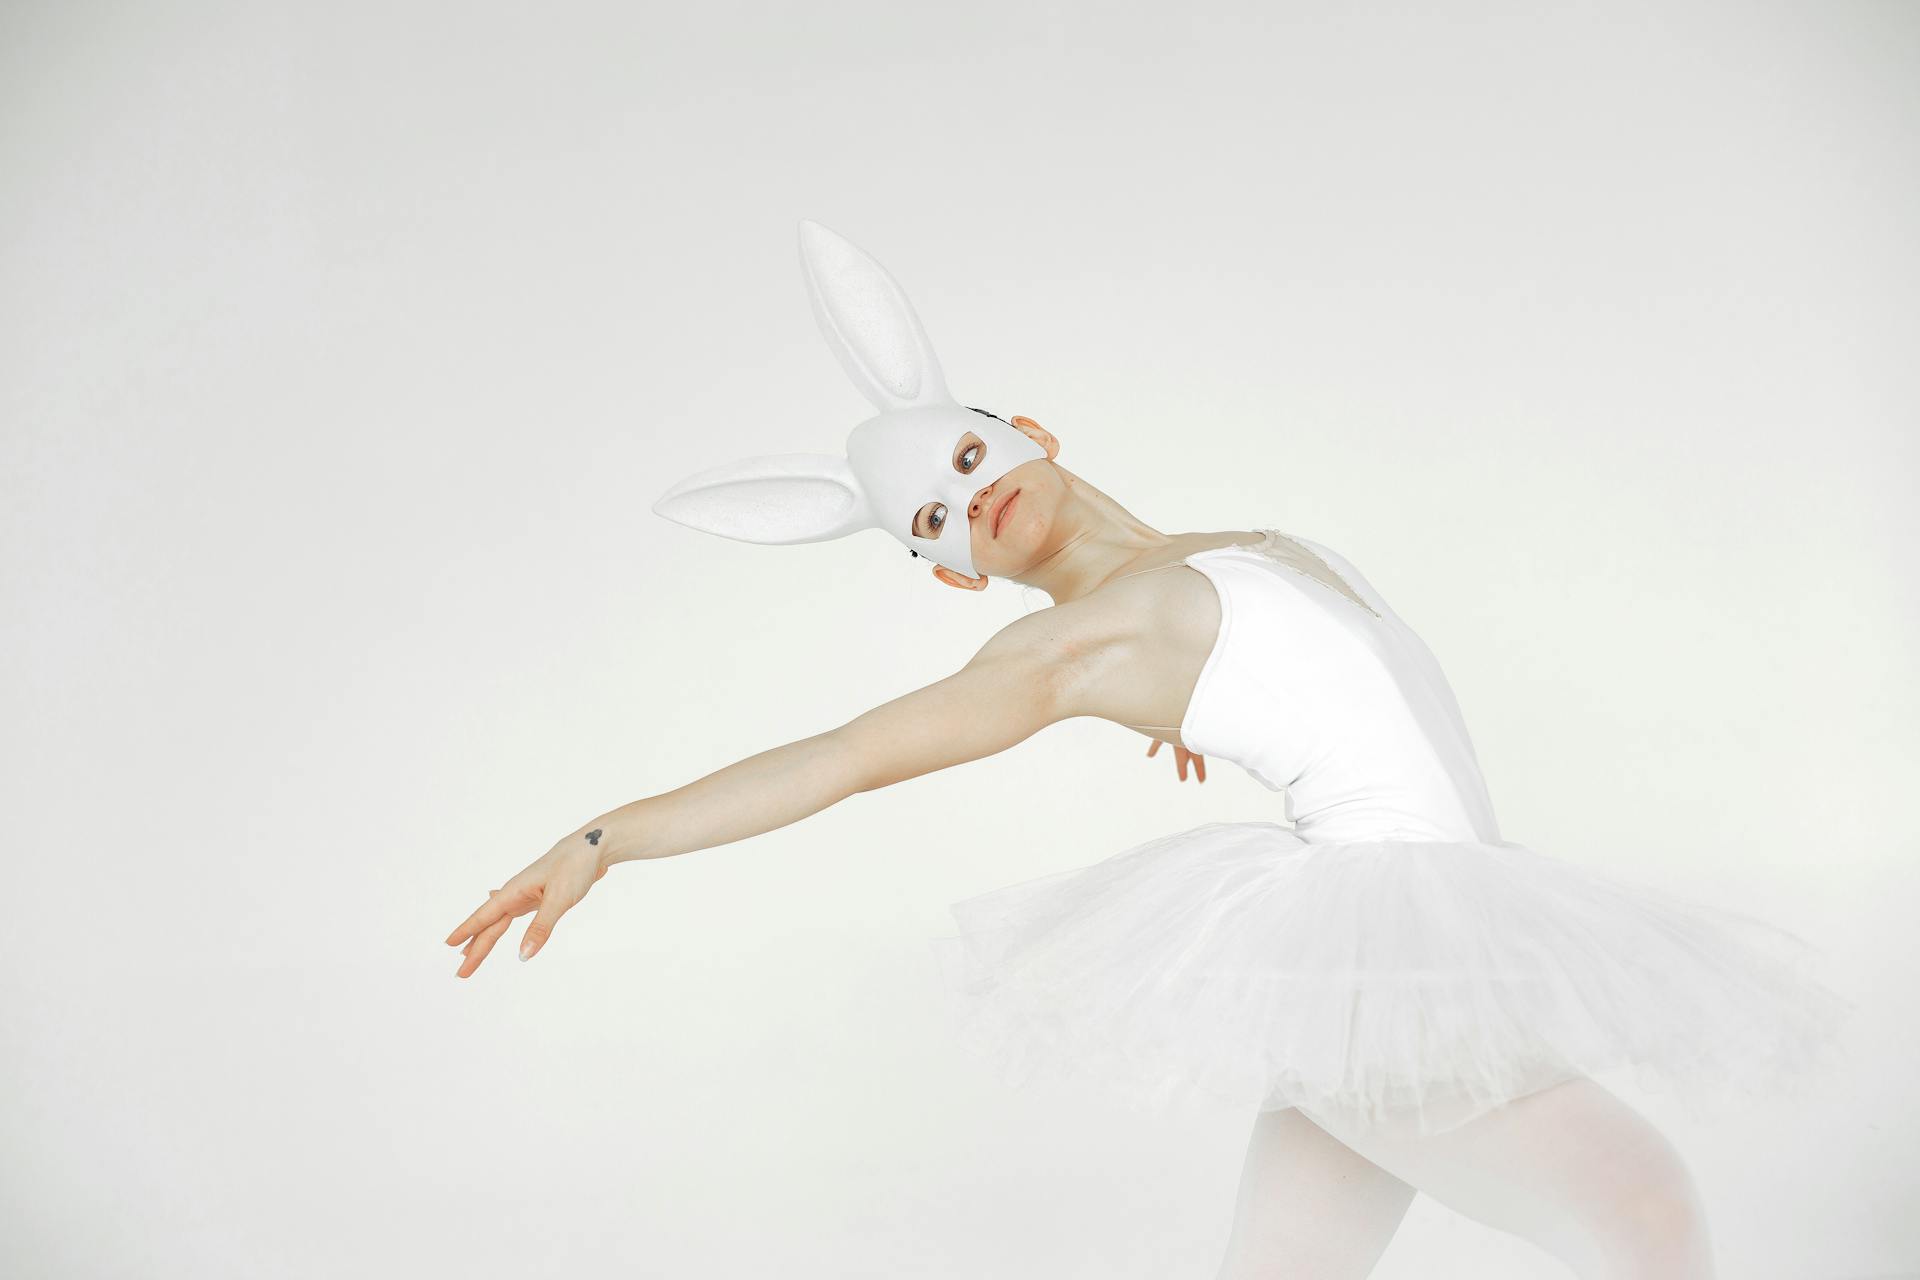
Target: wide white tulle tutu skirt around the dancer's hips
1380, 984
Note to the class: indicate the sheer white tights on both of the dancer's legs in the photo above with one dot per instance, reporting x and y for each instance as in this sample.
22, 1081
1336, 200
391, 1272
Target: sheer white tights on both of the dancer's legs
1572, 1170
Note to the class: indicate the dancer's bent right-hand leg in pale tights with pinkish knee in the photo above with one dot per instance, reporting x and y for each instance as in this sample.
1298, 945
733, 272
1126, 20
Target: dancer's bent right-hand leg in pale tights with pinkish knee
1575, 1172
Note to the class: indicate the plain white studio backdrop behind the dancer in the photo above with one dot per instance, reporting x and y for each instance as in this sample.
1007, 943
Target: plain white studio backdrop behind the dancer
343, 350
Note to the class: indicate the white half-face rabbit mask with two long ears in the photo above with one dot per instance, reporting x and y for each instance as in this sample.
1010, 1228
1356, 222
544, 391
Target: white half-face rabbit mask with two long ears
896, 463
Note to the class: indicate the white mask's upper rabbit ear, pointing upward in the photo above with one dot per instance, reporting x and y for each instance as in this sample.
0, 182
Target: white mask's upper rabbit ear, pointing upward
869, 323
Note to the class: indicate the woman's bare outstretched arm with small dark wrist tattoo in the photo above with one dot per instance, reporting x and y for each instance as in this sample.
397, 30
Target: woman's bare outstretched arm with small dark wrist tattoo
1020, 682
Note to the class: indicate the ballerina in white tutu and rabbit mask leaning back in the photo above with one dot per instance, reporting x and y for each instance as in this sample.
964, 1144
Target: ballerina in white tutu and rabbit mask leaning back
1404, 999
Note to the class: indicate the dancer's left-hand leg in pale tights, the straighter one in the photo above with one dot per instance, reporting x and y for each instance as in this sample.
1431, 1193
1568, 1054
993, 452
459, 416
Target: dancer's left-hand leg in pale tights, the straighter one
1310, 1208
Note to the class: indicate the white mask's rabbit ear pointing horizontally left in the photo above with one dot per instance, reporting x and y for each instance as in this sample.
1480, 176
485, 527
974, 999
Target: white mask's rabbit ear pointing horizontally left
775, 498
